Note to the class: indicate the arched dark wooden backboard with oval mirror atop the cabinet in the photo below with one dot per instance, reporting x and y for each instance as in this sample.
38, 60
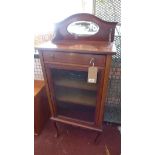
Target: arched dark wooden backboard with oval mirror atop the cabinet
84, 26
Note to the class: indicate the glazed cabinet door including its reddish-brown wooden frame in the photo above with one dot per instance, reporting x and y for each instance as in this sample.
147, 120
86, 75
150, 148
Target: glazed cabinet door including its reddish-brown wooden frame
72, 96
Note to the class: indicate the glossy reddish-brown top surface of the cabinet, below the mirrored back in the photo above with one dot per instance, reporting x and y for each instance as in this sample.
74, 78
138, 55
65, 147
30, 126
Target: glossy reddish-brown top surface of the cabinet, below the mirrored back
92, 47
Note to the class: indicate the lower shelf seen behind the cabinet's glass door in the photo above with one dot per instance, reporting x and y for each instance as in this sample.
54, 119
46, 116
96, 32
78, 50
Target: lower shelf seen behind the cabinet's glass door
76, 96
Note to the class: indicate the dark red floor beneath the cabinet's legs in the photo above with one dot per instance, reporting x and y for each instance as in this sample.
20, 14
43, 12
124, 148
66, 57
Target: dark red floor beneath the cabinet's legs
77, 141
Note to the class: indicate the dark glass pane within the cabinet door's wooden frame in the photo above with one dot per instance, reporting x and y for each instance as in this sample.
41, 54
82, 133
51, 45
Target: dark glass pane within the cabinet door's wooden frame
74, 96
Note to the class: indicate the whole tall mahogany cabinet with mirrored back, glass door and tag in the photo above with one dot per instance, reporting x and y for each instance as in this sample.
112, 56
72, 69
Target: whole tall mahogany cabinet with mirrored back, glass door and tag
76, 65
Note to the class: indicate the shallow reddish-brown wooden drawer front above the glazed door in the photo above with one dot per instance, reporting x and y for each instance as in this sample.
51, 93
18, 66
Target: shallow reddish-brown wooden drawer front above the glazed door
74, 58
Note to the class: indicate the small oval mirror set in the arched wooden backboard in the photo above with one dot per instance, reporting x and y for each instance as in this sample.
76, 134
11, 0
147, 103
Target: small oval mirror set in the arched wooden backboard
83, 28
